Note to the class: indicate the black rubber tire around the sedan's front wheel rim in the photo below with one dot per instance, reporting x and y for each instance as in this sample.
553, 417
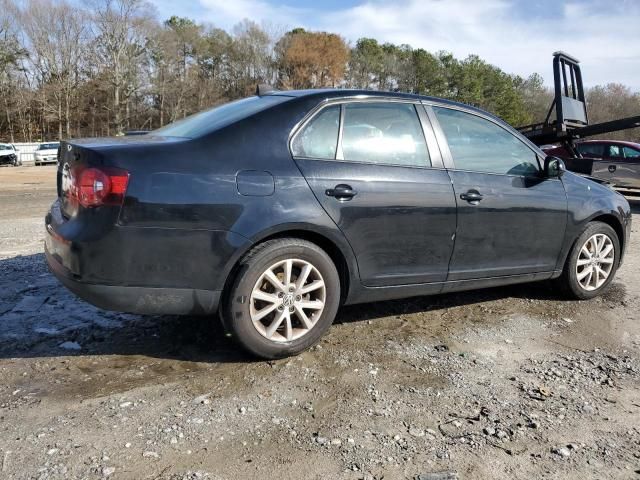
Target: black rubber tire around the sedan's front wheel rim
569, 279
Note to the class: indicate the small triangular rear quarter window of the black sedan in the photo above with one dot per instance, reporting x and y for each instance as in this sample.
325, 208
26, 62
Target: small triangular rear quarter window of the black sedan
319, 137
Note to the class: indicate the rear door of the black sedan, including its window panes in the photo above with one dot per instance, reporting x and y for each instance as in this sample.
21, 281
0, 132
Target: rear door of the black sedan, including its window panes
374, 166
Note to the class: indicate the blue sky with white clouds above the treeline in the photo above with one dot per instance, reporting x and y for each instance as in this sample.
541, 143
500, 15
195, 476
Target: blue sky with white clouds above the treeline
519, 36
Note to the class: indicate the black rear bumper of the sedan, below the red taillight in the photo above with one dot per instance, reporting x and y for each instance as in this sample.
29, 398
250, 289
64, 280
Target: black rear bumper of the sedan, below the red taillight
140, 270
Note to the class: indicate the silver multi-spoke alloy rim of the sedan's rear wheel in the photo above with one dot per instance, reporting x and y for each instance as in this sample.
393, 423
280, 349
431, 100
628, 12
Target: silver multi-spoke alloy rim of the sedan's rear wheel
287, 300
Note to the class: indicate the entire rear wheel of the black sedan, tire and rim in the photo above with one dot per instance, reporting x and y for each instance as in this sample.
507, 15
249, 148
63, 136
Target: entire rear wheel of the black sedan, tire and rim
284, 297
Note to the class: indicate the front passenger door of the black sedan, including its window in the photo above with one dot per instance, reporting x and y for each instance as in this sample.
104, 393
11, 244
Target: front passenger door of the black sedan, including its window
511, 220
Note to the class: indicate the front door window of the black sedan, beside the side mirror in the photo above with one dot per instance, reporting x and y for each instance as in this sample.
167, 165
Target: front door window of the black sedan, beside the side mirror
479, 145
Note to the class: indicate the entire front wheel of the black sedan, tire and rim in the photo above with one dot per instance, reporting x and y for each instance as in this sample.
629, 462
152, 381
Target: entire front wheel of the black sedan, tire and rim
593, 261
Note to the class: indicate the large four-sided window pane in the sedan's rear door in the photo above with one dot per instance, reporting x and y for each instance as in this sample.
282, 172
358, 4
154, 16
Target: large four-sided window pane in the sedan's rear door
384, 133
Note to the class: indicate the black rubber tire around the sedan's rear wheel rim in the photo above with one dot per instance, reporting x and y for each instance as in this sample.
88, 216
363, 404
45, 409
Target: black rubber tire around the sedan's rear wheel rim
236, 303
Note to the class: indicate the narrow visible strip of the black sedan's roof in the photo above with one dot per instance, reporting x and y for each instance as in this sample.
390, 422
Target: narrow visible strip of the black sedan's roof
322, 93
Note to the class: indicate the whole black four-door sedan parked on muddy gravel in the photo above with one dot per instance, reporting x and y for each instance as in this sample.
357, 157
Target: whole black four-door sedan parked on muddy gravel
275, 210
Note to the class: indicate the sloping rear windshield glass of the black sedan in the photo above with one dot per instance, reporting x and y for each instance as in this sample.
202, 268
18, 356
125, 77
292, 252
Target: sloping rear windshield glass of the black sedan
218, 117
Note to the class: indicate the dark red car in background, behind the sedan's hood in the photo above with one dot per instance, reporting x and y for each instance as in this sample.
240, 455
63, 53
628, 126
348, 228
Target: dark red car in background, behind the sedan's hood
613, 161
